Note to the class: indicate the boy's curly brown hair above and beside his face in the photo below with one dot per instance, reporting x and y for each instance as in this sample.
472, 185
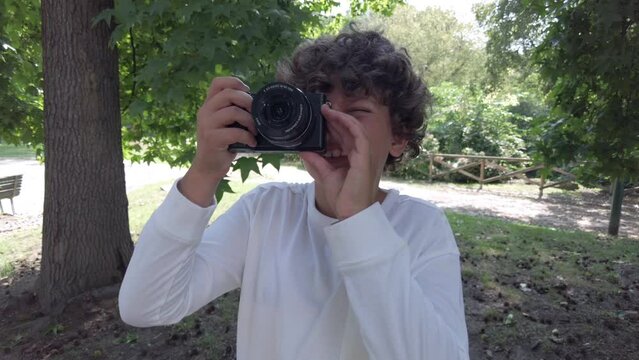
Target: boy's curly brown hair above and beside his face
367, 63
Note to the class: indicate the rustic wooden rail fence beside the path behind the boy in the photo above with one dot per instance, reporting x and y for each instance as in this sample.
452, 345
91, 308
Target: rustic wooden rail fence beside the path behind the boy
439, 168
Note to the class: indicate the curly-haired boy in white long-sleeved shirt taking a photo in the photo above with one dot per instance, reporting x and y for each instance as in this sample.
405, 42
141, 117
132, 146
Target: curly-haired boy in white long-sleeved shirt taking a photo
335, 269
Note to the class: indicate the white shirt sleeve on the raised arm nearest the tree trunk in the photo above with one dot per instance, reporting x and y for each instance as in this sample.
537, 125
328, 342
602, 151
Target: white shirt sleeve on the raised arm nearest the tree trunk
179, 265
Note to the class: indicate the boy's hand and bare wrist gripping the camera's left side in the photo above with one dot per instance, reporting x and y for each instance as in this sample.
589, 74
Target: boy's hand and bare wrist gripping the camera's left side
227, 102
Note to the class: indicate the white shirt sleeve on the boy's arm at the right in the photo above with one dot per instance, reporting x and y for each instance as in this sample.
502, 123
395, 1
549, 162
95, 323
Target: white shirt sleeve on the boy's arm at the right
405, 309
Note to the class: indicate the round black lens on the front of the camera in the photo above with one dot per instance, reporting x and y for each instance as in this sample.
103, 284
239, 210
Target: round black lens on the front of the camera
282, 114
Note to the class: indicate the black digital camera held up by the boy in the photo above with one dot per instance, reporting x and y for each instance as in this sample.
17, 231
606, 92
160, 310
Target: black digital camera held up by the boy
287, 120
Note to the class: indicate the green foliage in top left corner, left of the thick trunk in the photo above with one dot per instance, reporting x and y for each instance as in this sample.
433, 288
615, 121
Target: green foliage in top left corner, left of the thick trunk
21, 102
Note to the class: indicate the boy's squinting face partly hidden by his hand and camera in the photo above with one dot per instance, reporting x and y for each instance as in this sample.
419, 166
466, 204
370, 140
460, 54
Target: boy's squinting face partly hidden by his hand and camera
374, 118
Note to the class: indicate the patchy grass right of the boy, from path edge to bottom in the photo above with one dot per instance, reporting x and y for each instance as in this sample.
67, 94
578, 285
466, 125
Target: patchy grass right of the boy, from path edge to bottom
572, 282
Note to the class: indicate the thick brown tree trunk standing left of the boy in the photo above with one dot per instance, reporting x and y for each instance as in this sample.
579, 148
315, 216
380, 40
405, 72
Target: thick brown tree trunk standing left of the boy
85, 234
